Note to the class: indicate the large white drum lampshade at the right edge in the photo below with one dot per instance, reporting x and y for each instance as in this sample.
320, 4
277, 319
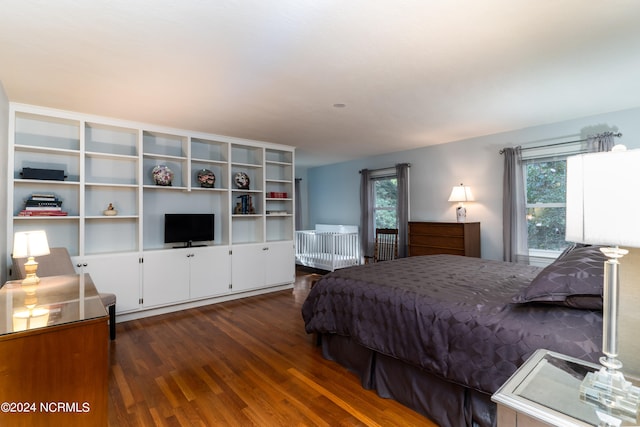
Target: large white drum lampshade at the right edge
603, 198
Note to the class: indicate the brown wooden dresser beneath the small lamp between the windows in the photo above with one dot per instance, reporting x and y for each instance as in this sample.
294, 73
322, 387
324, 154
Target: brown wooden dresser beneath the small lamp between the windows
456, 238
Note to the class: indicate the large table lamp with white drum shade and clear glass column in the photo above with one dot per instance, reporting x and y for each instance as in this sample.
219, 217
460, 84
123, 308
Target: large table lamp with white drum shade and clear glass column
602, 199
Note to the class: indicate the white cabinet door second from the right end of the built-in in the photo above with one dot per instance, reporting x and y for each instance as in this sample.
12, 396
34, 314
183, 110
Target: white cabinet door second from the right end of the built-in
247, 266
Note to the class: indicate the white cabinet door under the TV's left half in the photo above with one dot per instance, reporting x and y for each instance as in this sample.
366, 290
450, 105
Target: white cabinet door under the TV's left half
165, 277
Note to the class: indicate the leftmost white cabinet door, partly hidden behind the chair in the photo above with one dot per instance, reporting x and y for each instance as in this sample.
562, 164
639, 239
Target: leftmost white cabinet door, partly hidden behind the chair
118, 274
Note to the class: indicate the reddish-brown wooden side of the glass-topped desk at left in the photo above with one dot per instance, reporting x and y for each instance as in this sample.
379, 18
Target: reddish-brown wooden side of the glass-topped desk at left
59, 365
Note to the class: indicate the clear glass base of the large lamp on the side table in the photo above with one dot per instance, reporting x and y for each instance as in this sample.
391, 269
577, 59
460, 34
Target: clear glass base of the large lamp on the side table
608, 390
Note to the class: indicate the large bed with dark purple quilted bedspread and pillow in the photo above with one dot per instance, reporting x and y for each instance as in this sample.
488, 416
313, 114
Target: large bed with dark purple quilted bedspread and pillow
441, 333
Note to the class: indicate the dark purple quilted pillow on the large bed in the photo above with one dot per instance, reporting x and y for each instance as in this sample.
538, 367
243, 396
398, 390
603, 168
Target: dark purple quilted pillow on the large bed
573, 280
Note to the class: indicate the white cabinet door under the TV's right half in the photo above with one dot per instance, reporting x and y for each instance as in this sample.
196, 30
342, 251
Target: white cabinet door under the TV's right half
210, 271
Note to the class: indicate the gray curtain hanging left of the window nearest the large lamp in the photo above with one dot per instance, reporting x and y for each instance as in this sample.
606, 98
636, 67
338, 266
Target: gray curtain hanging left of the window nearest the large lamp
514, 212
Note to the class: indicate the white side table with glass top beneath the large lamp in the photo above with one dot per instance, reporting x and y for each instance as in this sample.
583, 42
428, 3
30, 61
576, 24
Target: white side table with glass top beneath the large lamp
545, 390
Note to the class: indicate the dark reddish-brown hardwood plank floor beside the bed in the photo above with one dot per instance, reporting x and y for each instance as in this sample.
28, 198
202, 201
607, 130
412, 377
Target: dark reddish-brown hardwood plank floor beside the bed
240, 363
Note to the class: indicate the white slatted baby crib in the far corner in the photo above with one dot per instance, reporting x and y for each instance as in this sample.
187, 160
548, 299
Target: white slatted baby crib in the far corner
328, 247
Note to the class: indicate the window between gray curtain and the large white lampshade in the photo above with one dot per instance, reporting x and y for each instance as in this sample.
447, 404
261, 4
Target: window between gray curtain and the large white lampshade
545, 201
